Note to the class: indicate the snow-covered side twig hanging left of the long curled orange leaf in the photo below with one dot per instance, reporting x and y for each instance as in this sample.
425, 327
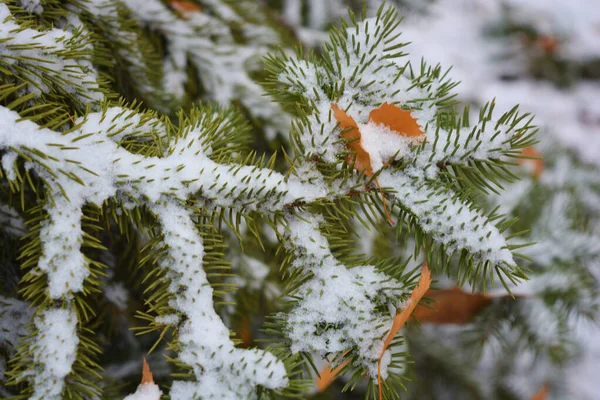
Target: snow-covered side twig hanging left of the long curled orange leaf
338, 308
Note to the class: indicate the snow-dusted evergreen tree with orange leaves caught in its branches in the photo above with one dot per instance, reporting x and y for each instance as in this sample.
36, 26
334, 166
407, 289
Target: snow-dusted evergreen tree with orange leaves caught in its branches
256, 222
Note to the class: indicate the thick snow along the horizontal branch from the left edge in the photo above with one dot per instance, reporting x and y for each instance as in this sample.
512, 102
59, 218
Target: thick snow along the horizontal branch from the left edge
92, 167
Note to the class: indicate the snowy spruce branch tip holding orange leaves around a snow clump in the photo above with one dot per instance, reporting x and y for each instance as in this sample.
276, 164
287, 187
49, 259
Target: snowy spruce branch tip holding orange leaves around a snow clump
355, 96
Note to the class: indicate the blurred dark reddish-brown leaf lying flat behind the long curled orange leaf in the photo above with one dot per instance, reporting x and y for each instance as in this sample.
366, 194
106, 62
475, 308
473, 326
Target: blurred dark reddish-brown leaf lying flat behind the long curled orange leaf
452, 306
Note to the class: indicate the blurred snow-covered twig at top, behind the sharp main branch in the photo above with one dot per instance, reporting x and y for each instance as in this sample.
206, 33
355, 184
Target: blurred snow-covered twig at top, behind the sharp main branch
206, 42
